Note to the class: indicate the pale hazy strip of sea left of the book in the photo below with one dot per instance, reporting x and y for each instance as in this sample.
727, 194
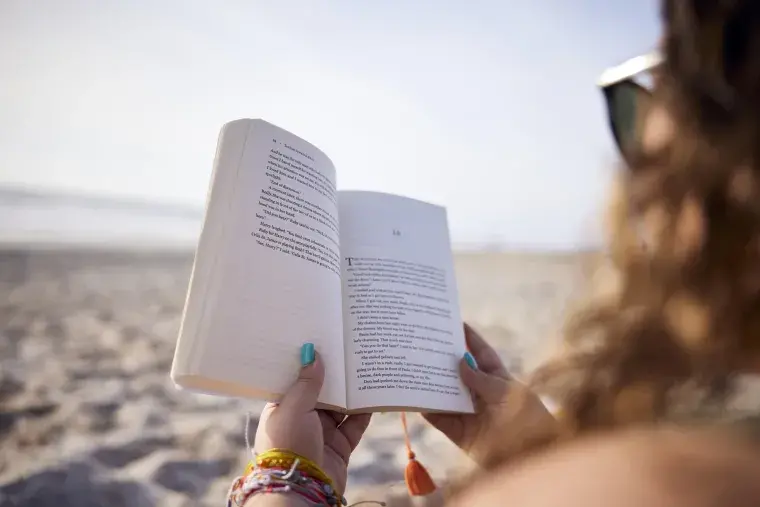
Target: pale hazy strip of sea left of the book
56, 220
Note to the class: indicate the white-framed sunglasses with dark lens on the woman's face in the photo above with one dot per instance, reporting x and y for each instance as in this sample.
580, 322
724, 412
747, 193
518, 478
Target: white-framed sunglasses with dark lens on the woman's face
627, 92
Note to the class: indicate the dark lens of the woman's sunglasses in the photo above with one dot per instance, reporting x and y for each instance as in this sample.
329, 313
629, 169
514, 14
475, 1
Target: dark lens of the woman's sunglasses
626, 103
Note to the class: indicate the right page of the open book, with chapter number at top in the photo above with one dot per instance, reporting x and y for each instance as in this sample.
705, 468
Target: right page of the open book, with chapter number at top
402, 327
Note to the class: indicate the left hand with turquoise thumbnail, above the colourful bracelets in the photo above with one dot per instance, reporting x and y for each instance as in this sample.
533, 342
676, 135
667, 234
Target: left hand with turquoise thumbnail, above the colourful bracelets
323, 436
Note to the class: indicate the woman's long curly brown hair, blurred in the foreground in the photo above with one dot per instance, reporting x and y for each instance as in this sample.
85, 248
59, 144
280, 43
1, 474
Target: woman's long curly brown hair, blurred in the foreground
684, 316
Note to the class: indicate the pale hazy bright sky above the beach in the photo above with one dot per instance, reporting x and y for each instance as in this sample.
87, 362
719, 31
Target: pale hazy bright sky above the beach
487, 107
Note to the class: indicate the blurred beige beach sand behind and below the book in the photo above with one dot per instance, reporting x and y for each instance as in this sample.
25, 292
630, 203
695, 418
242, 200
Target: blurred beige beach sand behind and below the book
89, 417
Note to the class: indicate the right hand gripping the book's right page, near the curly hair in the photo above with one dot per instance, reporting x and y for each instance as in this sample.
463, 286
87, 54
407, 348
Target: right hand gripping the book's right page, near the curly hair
499, 401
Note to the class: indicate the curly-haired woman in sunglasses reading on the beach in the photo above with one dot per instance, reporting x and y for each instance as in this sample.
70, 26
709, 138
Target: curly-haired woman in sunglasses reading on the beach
650, 363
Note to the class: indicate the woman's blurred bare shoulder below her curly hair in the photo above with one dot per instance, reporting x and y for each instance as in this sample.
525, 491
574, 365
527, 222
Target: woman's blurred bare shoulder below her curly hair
653, 468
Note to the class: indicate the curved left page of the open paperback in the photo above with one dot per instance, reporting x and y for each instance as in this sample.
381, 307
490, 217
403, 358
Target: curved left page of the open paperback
266, 277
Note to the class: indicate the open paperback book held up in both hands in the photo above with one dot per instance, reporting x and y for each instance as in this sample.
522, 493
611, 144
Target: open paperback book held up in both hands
284, 259
